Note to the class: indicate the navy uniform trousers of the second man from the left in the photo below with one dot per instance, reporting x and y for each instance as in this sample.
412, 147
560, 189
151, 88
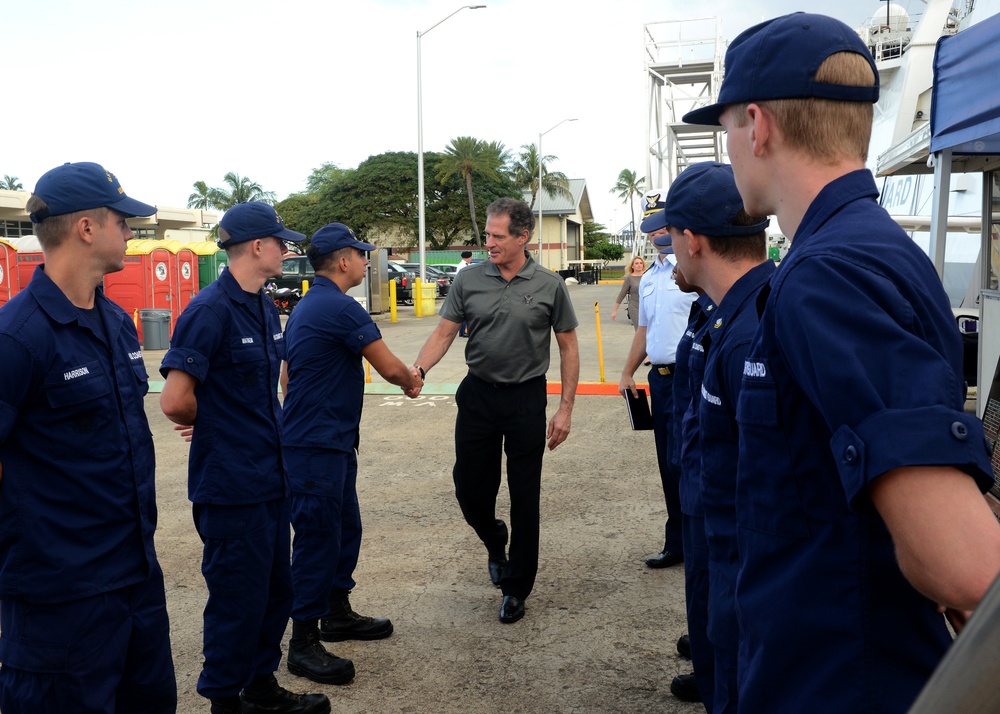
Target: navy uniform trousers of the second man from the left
248, 573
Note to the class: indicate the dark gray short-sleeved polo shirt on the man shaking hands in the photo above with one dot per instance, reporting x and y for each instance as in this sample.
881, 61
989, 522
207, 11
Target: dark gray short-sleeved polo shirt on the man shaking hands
510, 324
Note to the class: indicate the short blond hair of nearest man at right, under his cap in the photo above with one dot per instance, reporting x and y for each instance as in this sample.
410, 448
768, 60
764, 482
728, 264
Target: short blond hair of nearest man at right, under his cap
826, 129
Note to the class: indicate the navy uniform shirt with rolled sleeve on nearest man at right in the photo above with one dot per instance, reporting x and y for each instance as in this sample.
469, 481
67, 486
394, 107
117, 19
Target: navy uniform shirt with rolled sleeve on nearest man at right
856, 369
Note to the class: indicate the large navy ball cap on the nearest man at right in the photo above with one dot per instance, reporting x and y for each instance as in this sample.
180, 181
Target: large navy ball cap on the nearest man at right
778, 59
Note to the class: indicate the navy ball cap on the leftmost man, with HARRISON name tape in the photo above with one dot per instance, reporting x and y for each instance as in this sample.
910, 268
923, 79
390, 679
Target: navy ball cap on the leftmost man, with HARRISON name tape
81, 186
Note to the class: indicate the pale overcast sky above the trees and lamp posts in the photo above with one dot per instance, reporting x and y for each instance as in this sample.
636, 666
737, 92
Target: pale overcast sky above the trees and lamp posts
166, 93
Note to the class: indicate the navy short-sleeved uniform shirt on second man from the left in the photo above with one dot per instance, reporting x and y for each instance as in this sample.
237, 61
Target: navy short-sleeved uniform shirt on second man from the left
231, 342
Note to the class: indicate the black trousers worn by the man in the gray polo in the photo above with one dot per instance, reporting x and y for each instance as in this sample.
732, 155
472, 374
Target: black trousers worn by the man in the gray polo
512, 418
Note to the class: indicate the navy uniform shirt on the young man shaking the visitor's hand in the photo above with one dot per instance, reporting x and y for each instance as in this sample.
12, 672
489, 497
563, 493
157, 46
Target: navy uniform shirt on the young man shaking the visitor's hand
324, 337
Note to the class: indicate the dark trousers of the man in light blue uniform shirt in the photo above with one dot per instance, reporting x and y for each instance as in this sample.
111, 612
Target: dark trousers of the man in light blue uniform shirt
661, 396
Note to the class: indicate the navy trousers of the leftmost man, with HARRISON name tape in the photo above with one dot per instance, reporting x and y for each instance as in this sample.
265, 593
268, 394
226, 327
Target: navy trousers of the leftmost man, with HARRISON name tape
104, 654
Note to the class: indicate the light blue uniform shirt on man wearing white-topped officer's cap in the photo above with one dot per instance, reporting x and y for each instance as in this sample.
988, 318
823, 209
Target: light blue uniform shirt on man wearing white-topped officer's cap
663, 310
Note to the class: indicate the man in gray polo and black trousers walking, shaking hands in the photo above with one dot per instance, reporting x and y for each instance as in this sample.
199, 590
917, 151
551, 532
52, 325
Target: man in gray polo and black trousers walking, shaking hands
512, 307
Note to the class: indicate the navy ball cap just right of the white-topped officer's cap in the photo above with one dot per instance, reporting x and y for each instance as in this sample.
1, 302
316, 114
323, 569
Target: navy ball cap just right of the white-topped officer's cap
704, 200
